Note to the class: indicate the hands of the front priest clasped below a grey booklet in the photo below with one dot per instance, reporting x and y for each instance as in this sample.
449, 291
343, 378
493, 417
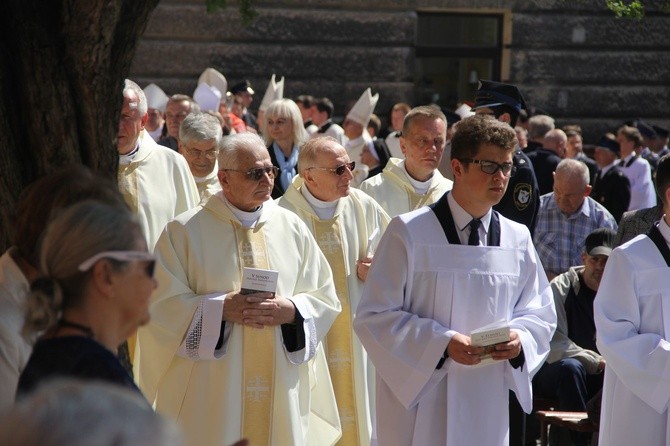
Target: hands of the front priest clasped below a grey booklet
258, 310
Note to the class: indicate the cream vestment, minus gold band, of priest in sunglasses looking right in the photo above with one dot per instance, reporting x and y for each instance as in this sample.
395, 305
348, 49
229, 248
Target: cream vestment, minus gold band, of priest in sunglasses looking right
359, 215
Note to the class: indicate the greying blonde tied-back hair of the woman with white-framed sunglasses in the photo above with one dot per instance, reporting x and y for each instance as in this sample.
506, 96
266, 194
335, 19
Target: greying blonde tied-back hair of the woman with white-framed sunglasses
76, 234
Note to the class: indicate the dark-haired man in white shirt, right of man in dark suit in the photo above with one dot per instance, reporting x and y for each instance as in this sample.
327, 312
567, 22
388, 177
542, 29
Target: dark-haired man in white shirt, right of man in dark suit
636, 168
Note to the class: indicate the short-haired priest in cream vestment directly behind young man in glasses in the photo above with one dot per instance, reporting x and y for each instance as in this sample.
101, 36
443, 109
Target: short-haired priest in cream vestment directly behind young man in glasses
409, 183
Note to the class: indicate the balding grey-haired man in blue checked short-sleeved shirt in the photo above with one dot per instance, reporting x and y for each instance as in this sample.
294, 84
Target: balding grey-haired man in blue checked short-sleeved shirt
567, 215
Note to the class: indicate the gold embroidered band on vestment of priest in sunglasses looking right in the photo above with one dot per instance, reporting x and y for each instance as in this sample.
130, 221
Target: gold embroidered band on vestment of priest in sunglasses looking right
339, 338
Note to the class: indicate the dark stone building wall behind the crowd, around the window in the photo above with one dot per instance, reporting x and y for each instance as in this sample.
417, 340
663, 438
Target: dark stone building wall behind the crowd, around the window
571, 58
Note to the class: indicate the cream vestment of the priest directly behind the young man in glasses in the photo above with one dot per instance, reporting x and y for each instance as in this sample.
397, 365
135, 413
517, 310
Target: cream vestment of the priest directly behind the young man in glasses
394, 192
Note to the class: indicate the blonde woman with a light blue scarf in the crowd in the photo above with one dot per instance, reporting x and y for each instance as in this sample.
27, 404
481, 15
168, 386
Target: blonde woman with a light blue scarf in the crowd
284, 131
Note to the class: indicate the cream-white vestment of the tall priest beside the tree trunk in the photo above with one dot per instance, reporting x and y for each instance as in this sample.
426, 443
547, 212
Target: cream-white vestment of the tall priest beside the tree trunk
164, 185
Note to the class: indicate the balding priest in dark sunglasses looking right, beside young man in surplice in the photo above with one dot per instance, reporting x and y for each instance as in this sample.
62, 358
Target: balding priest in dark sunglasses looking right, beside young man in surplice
342, 220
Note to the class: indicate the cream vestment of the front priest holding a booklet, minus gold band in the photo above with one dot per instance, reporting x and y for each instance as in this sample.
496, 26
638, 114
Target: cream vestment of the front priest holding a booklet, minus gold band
198, 264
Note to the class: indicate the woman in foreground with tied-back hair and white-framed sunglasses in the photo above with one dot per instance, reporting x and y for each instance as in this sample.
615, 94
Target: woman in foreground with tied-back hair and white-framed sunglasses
96, 279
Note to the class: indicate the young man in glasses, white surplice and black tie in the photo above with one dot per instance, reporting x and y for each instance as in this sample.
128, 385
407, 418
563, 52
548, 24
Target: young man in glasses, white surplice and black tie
426, 292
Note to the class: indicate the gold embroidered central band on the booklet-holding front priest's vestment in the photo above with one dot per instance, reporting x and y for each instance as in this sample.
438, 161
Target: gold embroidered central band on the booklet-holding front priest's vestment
258, 347
